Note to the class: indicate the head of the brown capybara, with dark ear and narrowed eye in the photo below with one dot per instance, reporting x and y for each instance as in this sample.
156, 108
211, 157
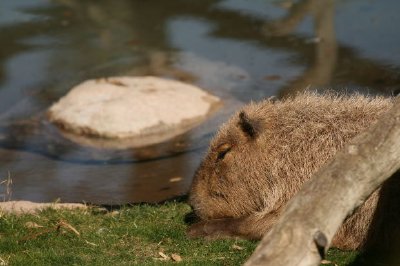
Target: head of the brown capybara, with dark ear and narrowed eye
231, 170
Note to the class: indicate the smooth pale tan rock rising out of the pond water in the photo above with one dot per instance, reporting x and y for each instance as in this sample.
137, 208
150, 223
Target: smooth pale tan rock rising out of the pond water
145, 110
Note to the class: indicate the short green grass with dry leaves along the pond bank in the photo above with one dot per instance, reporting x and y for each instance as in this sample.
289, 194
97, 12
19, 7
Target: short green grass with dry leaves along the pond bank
131, 235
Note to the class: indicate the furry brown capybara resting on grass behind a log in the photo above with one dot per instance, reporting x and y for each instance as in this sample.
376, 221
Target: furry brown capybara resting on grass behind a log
261, 157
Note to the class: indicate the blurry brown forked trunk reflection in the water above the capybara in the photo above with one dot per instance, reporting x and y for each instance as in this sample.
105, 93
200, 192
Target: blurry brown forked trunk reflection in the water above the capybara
319, 73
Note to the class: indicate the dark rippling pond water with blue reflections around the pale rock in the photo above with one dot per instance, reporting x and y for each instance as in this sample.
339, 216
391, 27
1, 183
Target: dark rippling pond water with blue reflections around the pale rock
239, 50
